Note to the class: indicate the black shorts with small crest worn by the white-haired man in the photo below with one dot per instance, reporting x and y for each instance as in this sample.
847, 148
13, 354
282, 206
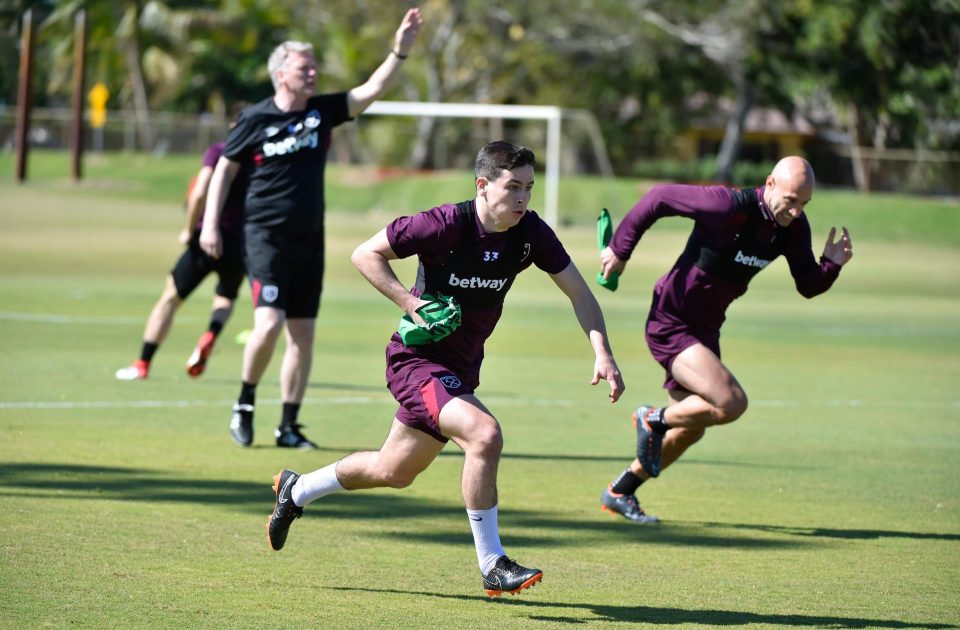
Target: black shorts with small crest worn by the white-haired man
285, 270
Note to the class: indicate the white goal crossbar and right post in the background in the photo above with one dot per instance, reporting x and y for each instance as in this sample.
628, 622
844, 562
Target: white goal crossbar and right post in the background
551, 114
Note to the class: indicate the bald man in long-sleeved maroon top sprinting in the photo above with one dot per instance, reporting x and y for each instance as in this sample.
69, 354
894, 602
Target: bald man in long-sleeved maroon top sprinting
736, 234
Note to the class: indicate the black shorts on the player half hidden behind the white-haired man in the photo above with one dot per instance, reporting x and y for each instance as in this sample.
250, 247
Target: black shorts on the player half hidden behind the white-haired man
195, 265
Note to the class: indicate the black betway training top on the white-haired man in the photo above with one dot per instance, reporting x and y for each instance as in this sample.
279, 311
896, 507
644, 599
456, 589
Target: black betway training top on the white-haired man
285, 154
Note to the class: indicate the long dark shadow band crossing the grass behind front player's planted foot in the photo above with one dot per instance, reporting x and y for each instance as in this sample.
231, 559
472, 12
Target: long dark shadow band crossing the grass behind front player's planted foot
531, 528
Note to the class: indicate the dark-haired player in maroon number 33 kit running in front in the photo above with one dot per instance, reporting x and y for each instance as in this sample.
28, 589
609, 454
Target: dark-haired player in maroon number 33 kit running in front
470, 251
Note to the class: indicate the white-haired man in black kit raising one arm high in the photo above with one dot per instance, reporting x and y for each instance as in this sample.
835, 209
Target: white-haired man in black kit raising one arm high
282, 143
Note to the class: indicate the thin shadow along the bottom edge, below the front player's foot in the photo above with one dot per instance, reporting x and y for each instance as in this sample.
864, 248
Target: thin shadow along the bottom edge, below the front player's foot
590, 613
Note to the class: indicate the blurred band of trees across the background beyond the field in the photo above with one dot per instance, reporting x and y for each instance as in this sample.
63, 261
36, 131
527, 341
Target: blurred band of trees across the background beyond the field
871, 74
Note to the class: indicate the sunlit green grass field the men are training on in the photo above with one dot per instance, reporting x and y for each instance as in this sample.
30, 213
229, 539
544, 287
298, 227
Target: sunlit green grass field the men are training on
833, 503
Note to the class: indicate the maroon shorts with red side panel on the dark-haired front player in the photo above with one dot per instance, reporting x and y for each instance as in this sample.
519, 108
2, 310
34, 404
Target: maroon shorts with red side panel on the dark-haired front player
422, 388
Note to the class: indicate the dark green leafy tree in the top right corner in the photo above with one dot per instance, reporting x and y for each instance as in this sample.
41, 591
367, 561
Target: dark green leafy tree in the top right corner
891, 69
